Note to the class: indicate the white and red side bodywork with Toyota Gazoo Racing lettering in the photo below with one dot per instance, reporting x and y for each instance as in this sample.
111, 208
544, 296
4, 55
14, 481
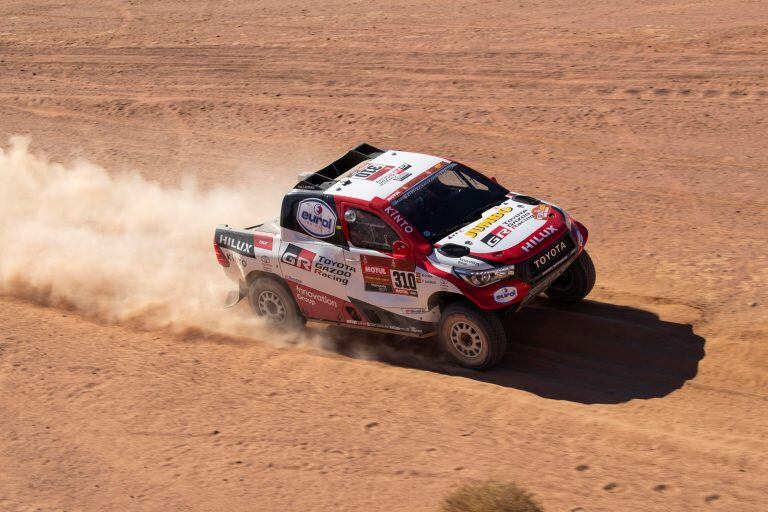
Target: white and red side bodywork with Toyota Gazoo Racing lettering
342, 276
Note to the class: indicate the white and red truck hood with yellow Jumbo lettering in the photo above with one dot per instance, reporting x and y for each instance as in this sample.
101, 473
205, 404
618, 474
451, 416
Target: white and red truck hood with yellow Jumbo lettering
512, 231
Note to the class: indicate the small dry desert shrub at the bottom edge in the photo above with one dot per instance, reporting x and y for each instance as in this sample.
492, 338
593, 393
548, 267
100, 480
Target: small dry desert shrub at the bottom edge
489, 496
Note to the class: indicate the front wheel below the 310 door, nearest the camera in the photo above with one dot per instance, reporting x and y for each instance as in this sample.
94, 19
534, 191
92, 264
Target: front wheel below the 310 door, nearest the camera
473, 338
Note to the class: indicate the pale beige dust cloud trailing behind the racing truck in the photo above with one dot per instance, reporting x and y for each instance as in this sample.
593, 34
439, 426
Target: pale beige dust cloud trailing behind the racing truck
118, 247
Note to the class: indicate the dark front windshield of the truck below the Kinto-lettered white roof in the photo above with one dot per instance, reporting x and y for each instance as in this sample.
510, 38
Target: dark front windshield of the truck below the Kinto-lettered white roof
448, 200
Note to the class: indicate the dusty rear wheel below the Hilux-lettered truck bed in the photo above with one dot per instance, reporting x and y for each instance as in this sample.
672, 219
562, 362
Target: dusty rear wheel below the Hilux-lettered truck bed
271, 300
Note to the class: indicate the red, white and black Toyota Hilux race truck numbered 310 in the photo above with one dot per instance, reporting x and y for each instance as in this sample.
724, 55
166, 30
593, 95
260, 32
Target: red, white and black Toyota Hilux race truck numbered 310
411, 244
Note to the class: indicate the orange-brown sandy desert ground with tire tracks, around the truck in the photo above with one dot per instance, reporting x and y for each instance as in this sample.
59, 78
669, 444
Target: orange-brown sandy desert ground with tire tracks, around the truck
647, 120
